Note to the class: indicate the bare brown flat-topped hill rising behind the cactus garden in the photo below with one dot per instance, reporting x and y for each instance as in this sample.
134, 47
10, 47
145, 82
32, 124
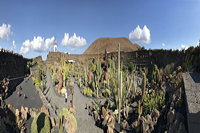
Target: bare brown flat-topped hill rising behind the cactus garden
111, 45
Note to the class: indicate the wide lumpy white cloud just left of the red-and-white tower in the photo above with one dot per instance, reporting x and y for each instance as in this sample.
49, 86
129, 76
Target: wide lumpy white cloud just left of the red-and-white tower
38, 44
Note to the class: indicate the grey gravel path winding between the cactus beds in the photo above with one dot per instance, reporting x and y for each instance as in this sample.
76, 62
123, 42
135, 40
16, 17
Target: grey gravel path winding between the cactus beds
86, 123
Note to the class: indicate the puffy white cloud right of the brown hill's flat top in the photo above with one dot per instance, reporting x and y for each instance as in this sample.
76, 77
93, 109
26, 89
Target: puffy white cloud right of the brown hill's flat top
139, 35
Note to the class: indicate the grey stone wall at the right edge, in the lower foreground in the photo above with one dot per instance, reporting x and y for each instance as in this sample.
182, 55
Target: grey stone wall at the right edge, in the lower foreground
192, 91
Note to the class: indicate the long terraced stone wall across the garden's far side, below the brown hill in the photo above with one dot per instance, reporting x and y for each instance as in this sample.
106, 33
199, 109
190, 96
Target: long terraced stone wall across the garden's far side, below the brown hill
141, 58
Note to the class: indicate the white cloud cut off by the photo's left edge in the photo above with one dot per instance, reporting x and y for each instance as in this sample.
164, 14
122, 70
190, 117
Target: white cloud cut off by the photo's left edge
5, 31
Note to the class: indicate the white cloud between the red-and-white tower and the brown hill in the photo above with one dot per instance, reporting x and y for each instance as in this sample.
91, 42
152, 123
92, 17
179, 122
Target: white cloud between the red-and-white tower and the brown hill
73, 41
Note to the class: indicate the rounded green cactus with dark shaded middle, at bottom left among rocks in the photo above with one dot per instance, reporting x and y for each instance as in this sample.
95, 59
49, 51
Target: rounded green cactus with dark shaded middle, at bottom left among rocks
41, 124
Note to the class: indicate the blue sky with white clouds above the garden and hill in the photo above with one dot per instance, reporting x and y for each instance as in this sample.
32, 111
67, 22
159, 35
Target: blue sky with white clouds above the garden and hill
30, 27
